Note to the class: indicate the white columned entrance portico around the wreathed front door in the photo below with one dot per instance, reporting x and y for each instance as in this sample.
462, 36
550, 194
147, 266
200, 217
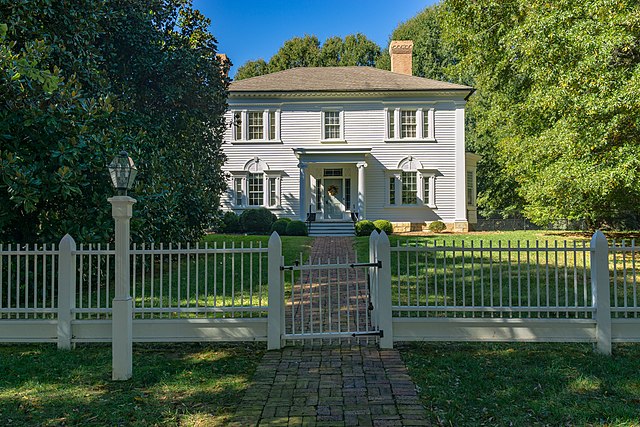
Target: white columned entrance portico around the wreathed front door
332, 182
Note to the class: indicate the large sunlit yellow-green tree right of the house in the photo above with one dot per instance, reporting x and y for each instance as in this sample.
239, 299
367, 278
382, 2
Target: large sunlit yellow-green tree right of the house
560, 85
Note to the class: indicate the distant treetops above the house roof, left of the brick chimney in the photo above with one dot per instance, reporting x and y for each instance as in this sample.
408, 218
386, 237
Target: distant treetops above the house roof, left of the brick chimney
353, 50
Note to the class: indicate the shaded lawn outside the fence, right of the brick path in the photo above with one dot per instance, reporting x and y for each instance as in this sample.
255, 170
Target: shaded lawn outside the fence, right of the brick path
526, 384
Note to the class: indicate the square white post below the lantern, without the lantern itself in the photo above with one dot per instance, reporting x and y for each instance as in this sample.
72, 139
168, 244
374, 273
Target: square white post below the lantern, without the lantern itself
122, 312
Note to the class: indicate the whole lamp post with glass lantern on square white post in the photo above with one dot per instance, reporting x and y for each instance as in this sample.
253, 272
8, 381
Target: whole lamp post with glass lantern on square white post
123, 173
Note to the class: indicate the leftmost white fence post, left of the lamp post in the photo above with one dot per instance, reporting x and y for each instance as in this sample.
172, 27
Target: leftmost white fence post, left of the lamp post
66, 290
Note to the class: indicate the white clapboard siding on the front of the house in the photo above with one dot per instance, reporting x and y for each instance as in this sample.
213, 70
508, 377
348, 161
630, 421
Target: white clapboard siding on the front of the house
364, 126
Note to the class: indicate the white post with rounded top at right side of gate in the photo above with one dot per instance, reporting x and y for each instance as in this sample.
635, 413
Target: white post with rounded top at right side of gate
384, 291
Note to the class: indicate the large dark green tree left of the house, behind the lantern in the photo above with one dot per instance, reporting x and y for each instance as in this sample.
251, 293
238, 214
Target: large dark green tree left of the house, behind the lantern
81, 80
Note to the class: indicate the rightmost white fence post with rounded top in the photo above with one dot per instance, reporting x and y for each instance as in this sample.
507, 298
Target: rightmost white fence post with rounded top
600, 289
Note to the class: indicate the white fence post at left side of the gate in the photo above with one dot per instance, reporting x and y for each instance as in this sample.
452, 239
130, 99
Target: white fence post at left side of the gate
275, 318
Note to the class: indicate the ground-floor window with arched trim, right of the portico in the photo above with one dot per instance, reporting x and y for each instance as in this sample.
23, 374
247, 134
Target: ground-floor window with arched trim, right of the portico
411, 184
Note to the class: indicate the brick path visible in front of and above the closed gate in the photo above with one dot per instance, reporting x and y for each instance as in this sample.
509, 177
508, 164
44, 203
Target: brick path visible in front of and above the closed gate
331, 385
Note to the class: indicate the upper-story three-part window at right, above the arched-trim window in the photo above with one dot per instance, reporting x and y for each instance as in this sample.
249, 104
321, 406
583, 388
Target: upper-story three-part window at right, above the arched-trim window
410, 124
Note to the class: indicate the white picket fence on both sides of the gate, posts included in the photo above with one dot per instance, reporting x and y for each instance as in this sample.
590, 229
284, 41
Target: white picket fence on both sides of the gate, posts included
505, 292
